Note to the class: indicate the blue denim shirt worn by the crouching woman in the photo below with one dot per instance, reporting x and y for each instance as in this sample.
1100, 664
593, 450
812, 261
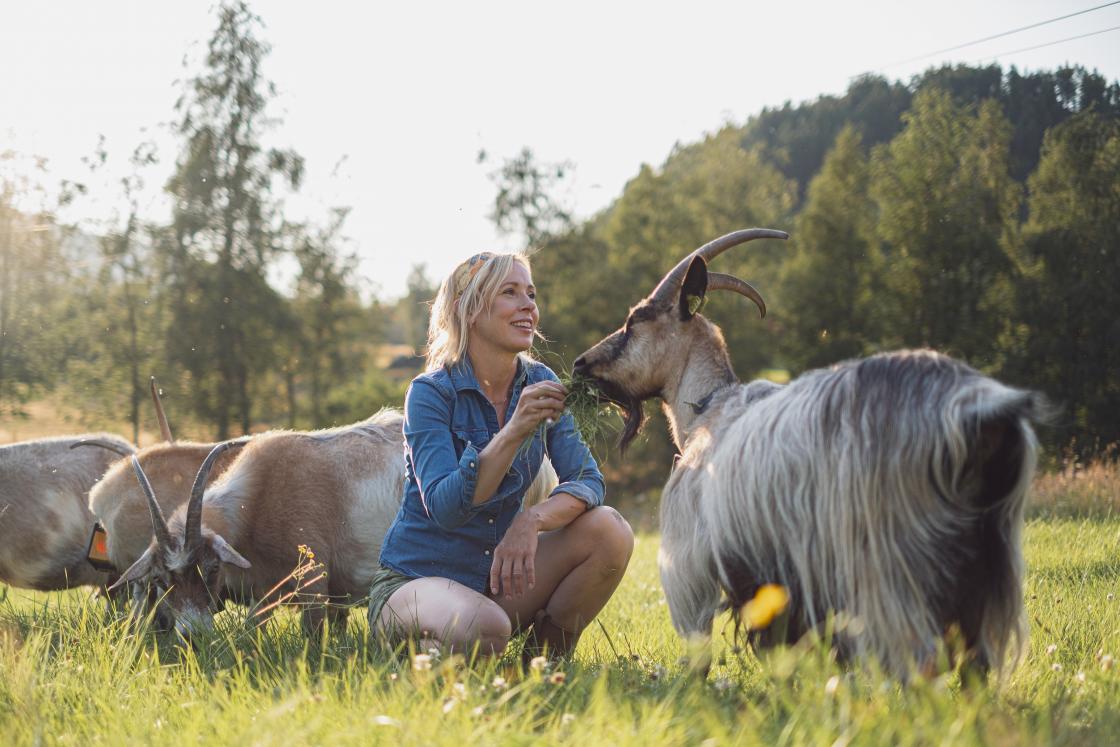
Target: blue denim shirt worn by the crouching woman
447, 423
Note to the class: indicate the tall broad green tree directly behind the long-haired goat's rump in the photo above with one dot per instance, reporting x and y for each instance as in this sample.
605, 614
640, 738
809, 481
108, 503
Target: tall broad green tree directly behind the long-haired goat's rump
948, 210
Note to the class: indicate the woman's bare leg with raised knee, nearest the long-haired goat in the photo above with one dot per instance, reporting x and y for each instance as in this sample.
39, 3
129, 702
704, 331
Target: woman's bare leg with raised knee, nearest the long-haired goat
577, 568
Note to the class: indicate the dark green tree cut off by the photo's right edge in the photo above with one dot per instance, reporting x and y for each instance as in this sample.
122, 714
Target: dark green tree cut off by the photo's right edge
1067, 341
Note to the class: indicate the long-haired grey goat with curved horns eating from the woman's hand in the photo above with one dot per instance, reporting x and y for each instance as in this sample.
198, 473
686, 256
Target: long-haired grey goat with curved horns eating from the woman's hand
889, 491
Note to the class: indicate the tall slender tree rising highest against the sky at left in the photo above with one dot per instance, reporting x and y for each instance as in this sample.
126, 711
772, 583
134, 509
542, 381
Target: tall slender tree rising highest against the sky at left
226, 220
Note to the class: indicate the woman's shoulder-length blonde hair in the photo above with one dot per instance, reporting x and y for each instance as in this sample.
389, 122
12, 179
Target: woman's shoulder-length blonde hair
463, 296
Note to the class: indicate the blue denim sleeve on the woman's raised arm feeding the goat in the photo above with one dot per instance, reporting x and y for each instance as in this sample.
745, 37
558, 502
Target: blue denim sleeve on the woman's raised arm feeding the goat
447, 483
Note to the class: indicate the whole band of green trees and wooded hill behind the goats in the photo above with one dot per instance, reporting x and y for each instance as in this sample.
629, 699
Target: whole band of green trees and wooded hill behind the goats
970, 210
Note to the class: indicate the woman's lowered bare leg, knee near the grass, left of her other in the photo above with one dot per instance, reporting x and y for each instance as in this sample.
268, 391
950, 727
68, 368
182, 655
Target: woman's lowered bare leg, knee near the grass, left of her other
445, 614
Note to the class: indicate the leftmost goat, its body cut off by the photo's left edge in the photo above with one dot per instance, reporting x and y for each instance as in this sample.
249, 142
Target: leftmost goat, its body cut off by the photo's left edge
45, 524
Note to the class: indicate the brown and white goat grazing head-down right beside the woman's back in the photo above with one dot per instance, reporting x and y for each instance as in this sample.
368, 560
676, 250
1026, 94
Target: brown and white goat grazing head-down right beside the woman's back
333, 492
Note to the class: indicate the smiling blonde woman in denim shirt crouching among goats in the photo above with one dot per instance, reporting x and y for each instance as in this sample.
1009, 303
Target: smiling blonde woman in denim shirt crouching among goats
465, 564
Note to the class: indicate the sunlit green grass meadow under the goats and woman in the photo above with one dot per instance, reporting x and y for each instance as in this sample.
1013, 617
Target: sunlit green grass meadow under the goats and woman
70, 674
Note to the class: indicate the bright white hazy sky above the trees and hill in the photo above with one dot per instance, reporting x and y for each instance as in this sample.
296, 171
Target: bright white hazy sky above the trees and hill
403, 97
